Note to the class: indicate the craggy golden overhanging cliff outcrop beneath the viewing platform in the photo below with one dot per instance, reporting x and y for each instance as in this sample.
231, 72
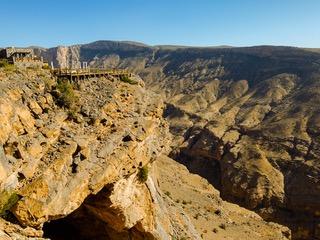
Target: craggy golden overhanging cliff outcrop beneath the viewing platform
56, 161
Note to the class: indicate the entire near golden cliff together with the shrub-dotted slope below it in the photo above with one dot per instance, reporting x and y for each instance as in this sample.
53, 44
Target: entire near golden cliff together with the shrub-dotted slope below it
74, 160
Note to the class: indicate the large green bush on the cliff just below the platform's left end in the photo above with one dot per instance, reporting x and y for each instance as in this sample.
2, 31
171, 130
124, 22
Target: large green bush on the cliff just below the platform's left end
67, 97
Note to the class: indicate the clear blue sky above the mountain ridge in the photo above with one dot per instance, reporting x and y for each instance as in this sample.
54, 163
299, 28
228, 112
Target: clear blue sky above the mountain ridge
181, 22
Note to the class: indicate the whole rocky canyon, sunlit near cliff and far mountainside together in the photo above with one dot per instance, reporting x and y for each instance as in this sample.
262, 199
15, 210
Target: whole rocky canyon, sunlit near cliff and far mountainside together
244, 121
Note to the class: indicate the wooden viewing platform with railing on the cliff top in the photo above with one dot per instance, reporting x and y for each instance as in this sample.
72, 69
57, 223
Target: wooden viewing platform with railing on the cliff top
84, 73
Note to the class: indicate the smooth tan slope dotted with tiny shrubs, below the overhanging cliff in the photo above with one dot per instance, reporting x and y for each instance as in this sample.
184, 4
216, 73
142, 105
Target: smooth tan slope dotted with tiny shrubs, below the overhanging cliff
191, 198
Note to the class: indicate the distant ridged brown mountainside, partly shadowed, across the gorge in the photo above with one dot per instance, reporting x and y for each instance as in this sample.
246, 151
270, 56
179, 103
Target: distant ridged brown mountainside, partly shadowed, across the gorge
247, 119
